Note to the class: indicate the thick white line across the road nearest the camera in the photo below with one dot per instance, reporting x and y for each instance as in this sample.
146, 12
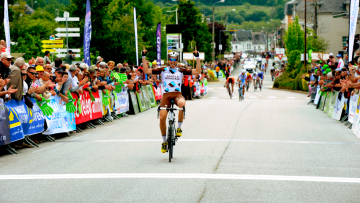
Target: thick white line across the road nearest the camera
181, 176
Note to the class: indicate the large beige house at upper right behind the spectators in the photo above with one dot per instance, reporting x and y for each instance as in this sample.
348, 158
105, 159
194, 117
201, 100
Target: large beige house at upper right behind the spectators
332, 29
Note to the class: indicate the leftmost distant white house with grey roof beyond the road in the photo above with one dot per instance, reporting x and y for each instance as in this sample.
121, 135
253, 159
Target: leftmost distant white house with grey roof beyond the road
242, 41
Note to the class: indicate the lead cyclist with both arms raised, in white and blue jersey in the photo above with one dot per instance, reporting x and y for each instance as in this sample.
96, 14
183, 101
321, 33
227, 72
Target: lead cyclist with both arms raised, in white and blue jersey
172, 79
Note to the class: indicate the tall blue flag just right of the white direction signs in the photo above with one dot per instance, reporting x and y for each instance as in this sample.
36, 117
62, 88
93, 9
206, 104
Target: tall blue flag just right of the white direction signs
87, 34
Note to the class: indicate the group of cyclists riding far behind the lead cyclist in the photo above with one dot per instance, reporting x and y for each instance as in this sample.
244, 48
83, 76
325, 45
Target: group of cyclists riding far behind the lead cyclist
245, 79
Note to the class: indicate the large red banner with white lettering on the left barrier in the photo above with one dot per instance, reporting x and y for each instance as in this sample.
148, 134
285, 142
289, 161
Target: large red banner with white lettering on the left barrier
89, 110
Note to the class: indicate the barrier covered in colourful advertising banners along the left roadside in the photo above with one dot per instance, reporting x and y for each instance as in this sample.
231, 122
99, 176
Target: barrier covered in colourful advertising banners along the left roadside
18, 122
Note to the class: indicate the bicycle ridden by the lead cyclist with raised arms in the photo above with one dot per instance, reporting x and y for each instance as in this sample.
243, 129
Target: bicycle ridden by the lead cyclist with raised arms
171, 138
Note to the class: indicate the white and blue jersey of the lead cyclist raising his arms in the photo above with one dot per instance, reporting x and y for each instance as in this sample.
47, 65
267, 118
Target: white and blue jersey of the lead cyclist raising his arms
172, 77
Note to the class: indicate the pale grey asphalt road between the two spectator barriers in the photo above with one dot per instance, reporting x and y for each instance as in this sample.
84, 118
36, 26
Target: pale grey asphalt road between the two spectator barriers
271, 147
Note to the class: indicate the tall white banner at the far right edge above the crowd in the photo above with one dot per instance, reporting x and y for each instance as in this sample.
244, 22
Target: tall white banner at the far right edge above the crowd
354, 10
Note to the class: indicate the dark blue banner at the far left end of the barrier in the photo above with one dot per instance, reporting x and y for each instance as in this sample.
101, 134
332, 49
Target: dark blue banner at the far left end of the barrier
5, 137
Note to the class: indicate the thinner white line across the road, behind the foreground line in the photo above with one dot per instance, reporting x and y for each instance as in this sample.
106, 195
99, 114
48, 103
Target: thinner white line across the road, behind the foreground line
220, 140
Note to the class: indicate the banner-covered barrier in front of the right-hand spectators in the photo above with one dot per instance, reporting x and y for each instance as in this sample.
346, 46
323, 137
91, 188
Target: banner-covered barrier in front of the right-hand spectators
340, 107
